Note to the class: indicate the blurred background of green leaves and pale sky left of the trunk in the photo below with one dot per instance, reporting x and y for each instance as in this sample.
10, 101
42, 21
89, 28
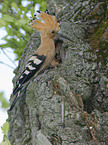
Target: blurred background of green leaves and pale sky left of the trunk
14, 36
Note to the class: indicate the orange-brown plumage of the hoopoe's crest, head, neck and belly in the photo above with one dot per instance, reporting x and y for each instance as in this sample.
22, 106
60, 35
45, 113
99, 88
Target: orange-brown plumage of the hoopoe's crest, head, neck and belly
46, 28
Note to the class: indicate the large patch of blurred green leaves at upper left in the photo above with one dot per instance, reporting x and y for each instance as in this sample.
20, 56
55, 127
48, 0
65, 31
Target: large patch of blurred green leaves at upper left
14, 19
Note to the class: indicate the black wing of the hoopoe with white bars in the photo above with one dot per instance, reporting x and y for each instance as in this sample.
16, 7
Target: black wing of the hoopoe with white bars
33, 66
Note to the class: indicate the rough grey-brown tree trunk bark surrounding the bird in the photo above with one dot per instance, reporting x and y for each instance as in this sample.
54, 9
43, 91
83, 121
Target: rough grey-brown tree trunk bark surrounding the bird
80, 82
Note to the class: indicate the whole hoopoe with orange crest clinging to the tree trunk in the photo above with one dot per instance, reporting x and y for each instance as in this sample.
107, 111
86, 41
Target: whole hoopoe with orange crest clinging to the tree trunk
44, 55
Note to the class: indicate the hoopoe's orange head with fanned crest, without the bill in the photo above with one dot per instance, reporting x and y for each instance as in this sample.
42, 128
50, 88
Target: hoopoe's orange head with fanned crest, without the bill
48, 27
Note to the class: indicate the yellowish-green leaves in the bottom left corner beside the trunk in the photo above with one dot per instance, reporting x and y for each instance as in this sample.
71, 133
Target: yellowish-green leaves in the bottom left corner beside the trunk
5, 129
